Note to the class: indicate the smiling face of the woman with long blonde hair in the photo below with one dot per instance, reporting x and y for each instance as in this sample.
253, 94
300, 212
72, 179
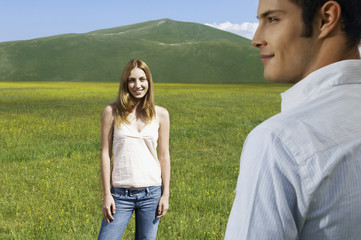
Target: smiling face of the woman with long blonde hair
138, 83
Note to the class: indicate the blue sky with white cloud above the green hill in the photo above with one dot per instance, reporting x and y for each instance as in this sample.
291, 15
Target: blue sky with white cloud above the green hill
28, 19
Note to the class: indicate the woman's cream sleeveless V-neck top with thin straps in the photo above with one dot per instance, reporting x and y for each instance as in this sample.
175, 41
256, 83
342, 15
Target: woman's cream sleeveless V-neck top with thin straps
135, 160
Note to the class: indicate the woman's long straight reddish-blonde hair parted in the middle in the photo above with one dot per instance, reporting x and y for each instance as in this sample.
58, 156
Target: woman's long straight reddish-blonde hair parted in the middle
125, 102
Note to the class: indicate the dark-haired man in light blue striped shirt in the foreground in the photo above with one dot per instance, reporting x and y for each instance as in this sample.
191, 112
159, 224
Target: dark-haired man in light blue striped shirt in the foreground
300, 172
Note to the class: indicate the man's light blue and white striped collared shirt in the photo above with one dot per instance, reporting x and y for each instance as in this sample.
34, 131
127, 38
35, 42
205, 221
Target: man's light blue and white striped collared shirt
300, 172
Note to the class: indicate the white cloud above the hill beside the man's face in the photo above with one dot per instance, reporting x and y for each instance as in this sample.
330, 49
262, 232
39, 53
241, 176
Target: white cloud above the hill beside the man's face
246, 29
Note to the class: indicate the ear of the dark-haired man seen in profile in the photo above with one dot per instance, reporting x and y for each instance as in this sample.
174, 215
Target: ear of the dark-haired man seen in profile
330, 18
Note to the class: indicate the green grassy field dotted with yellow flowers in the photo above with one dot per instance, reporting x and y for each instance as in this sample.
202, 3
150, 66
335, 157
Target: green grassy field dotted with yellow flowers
50, 153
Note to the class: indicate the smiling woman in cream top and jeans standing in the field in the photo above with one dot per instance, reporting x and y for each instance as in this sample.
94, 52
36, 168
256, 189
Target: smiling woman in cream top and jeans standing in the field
131, 129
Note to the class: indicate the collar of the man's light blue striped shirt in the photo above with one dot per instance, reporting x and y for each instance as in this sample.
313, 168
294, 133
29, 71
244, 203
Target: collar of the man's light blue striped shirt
339, 73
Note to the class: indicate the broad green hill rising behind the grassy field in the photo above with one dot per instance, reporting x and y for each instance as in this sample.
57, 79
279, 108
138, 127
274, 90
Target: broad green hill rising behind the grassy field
175, 51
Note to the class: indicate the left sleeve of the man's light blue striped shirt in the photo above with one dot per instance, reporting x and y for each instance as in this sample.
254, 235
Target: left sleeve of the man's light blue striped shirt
265, 205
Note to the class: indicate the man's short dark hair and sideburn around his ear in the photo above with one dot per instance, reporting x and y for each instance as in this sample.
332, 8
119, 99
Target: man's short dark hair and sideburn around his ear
350, 17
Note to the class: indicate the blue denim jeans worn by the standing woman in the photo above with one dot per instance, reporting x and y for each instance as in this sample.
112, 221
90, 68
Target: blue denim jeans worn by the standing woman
144, 202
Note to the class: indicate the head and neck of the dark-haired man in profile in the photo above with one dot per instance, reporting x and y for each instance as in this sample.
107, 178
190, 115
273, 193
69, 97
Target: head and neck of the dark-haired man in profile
297, 37
